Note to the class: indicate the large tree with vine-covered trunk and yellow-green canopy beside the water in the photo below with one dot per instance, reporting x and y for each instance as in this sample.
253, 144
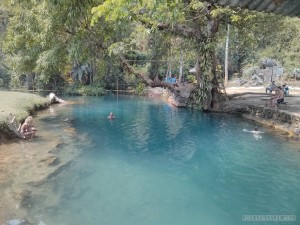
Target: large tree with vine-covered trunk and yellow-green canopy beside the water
193, 20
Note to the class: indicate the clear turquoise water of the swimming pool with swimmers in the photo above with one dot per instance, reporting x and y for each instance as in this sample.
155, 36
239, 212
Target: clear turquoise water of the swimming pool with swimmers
159, 165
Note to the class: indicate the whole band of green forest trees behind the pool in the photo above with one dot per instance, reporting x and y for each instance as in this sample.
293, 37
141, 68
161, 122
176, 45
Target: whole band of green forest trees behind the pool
87, 46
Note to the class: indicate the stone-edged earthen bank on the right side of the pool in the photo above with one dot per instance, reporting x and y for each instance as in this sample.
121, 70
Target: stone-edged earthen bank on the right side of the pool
251, 103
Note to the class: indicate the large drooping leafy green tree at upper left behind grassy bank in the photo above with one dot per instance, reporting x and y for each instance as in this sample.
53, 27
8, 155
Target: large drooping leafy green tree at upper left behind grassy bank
45, 39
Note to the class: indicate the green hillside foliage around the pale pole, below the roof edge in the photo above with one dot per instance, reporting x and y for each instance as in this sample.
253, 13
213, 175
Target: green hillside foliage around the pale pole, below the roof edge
255, 36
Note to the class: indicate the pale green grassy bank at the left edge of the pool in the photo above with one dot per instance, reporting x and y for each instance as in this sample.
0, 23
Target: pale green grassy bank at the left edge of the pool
20, 105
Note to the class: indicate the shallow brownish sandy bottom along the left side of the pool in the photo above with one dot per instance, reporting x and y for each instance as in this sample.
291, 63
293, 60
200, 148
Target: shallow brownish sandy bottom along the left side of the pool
26, 165
